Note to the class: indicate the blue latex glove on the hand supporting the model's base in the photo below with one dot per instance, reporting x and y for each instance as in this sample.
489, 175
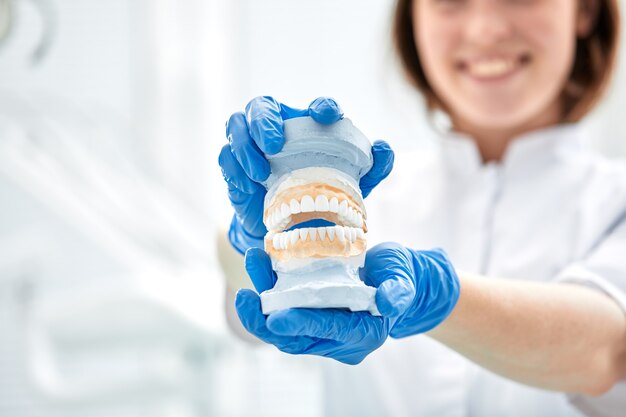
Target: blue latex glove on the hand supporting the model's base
416, 291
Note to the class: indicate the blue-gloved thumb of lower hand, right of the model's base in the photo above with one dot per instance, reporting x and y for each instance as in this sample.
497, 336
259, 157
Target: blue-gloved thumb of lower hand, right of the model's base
389, 268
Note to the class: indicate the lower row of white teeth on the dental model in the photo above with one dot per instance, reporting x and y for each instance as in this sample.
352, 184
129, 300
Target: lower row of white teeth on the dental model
284, 240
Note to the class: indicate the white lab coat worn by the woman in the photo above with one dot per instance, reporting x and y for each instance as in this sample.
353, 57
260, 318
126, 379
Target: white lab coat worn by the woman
551, 210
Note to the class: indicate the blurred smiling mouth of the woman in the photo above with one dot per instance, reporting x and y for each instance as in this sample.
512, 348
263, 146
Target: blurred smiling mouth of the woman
493, 68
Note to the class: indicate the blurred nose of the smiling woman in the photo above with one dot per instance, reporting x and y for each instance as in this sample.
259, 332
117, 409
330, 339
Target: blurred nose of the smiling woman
486, 23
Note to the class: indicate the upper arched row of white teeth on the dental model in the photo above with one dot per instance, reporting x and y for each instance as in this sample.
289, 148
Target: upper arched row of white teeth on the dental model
279, 218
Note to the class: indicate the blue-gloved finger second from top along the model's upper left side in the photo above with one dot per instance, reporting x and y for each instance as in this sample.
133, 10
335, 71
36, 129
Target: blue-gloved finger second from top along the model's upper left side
246, 151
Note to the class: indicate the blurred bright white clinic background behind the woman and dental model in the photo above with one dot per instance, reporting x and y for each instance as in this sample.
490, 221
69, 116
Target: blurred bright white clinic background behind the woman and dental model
112, 206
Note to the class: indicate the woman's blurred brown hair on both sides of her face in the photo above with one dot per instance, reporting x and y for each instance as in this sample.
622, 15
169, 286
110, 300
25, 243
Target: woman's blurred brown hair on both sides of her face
593, 65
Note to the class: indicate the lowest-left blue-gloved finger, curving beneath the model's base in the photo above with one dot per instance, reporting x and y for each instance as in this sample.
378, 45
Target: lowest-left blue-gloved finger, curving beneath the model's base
248, 307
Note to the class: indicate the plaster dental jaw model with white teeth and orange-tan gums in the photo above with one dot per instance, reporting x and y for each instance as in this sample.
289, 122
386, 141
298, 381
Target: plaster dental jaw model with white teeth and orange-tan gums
316, 177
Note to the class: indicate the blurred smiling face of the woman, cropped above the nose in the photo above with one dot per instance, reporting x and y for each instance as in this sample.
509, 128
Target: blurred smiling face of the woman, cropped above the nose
497, 64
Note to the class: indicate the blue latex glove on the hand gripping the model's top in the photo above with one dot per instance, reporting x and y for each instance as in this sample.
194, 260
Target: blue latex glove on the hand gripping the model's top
259, 130
